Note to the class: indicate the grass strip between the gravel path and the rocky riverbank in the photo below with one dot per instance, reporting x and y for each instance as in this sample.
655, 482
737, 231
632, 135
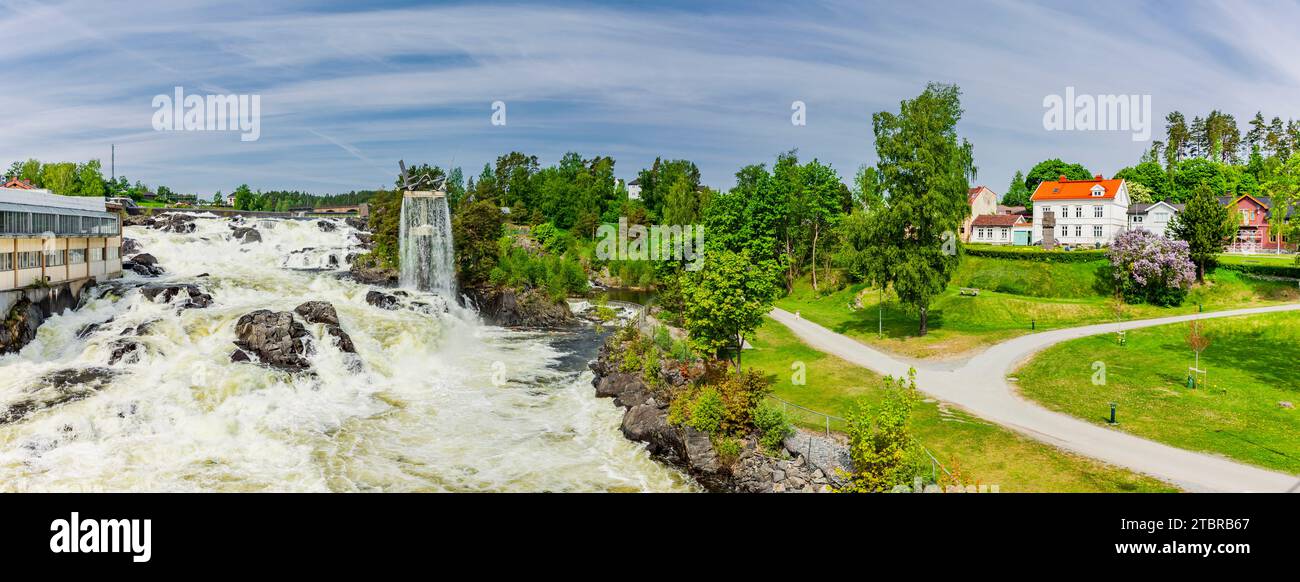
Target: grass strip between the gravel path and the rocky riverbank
986, 454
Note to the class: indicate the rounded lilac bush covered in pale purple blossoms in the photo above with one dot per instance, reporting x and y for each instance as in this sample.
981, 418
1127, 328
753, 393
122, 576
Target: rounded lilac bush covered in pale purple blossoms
1151, 268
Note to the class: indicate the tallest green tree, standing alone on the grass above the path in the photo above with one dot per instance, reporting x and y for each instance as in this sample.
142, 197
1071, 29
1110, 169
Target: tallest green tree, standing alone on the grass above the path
928, 171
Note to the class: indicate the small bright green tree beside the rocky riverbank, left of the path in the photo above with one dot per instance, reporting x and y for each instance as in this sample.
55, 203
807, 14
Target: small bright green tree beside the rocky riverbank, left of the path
726, 301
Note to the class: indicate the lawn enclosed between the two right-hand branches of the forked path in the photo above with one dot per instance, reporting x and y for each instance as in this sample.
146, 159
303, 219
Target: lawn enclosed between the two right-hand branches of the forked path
1253, 364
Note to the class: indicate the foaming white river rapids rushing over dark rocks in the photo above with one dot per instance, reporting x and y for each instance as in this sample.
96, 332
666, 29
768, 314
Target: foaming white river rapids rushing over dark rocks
423, 415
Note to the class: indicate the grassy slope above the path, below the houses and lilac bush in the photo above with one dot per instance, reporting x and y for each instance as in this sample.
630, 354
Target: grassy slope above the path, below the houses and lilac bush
1016, 298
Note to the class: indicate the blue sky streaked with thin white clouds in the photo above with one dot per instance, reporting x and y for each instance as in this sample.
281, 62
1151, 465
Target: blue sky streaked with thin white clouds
346, 90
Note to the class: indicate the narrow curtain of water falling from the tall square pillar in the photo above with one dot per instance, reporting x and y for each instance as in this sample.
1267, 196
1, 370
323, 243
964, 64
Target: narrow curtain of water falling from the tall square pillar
428, 258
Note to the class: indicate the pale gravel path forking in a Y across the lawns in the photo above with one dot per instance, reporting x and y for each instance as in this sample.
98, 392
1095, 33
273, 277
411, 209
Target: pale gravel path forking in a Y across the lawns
981, 386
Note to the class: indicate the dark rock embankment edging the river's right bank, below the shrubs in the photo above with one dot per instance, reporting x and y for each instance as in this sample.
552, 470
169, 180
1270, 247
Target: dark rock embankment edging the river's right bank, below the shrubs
808, 463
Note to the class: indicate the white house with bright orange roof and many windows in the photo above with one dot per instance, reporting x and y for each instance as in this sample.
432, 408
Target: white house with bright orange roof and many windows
1089, 212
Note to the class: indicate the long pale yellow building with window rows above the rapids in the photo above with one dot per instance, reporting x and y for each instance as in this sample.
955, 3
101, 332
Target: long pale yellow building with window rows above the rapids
55, 240
